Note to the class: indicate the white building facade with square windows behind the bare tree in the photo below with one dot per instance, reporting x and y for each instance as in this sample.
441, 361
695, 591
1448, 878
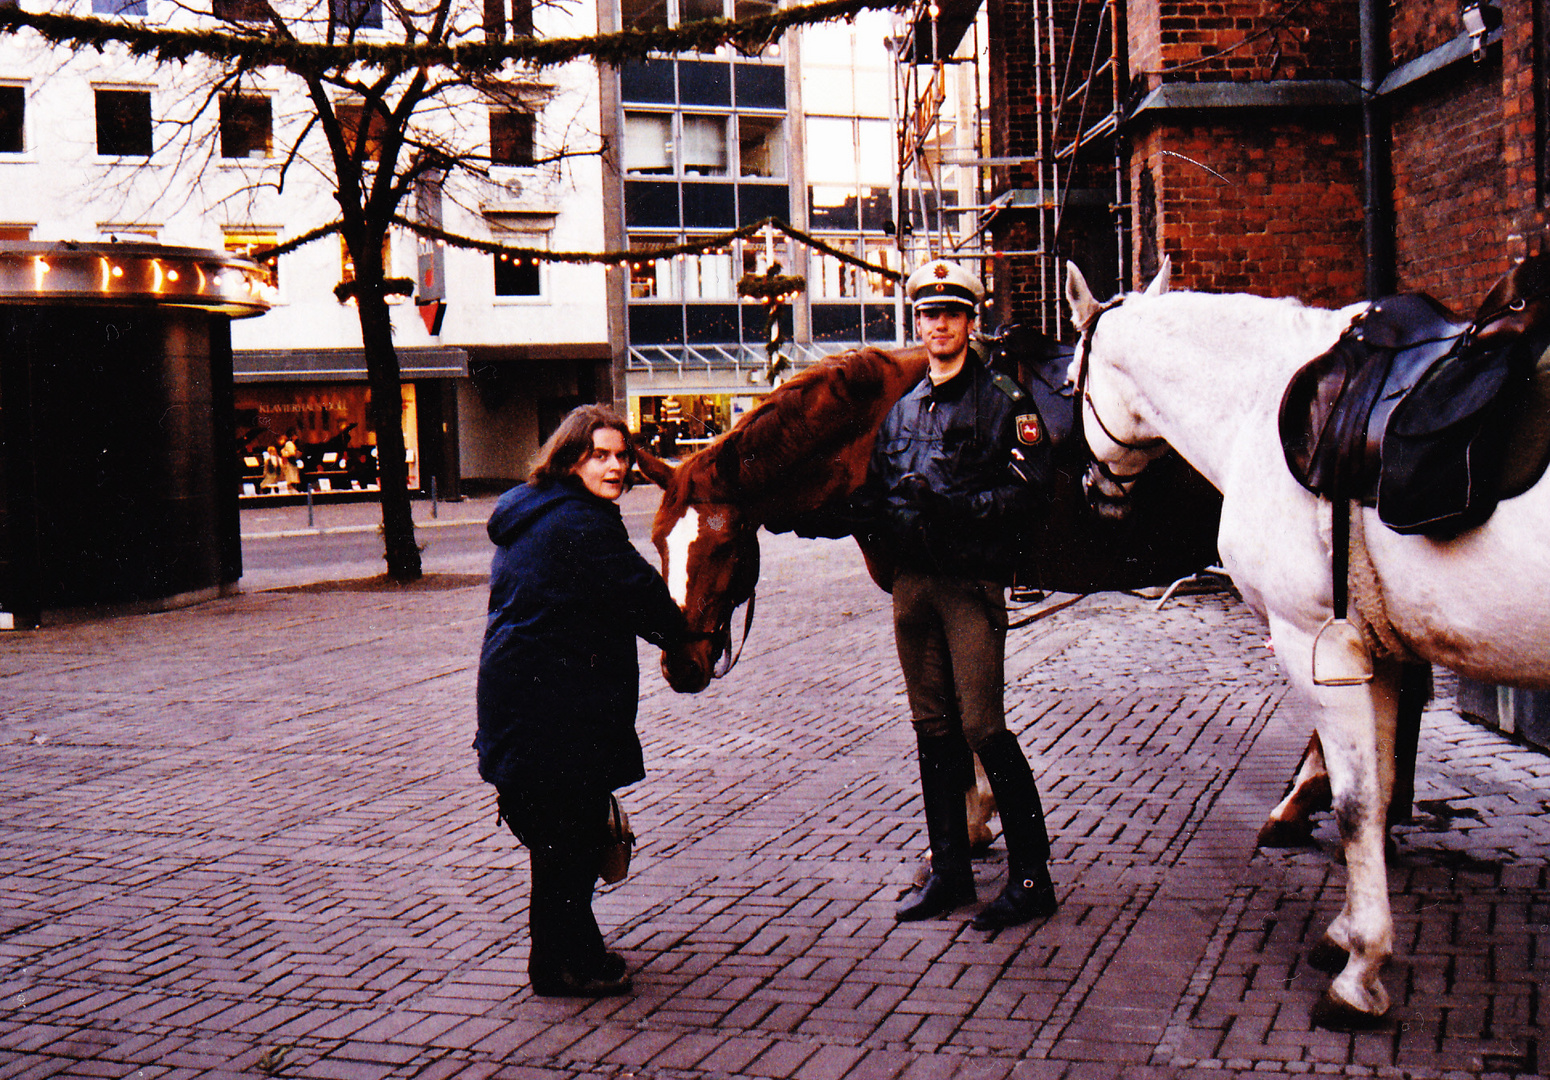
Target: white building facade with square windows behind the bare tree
102, 146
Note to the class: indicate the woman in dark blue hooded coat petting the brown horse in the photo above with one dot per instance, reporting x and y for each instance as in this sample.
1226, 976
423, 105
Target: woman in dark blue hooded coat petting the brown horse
560, 684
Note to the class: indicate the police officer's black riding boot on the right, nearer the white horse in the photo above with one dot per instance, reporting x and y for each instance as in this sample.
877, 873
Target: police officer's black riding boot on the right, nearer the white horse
1030, 893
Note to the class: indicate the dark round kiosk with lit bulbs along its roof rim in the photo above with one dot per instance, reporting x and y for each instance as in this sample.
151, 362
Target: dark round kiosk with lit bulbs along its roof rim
119, 483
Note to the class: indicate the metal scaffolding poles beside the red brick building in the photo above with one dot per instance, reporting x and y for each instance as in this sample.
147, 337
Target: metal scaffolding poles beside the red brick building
1064, 159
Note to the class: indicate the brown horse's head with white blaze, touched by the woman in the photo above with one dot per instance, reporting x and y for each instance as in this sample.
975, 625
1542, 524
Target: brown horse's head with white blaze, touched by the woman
711, 560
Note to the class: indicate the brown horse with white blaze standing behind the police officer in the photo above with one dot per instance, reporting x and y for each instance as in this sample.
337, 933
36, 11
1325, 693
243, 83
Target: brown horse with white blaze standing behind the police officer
807, 447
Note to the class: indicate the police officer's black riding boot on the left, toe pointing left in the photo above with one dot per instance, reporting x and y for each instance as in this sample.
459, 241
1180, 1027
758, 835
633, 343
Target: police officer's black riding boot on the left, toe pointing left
946, 774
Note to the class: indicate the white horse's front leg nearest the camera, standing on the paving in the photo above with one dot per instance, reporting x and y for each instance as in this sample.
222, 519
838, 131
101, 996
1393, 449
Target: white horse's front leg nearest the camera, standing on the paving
1357, 734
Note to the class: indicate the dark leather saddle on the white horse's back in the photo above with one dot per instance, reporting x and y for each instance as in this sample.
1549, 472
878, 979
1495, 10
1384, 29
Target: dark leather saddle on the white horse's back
1427, 418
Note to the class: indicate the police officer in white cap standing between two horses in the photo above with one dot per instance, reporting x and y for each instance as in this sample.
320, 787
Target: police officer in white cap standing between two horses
959, 464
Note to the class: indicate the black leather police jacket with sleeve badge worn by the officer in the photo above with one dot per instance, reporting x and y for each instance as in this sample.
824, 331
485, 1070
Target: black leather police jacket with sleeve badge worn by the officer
956, 475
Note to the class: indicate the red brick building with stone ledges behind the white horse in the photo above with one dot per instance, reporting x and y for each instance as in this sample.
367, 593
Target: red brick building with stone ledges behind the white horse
1253, 145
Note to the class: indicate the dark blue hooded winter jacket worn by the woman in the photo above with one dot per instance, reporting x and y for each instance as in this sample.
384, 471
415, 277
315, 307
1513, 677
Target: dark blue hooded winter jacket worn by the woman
559, 679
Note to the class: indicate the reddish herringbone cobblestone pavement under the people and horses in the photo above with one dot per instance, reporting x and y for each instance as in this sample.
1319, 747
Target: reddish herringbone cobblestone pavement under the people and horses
249, 838
